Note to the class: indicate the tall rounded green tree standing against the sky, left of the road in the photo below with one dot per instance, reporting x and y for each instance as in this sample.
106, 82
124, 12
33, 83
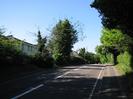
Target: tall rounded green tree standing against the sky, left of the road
64, 36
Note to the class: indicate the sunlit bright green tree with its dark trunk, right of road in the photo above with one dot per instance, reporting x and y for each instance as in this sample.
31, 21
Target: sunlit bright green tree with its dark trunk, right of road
113, 41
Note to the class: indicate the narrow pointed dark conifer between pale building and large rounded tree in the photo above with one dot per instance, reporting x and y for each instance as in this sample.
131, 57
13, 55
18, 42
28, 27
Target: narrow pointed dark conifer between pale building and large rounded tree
43, 57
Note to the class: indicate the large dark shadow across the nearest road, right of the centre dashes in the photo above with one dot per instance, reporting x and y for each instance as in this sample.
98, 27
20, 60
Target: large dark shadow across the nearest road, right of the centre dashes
81, 88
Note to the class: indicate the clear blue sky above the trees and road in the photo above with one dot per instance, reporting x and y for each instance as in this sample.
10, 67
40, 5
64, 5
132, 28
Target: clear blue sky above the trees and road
23, 18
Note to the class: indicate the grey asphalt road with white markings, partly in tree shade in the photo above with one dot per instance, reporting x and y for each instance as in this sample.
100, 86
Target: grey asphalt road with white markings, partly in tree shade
71, 82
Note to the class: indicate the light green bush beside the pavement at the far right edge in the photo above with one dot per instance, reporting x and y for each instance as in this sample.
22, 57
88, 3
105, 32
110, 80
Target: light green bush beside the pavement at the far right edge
125, 67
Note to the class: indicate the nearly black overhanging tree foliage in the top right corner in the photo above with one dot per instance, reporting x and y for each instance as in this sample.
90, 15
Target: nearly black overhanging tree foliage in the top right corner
116, 14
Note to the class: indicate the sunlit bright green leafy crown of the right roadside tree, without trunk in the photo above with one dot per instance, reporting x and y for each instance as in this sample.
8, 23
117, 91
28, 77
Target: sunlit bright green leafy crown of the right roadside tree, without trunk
114, 38
